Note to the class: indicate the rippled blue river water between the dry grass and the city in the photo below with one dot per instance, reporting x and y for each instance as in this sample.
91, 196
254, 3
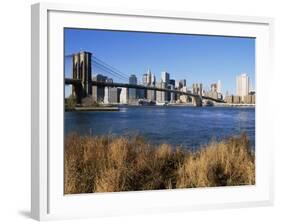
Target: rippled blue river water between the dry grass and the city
189, 127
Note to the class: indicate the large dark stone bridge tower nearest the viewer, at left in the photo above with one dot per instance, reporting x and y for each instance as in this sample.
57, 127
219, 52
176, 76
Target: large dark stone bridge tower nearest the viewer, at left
82, 70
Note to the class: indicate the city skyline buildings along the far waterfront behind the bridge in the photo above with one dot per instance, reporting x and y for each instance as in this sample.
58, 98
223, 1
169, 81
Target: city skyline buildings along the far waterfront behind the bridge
110, 95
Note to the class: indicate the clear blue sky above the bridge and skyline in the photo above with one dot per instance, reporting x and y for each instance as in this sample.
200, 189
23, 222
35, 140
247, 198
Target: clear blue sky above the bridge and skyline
196, 58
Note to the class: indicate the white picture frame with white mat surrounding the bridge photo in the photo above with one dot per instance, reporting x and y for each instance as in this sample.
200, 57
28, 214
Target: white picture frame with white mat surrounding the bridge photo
47, 198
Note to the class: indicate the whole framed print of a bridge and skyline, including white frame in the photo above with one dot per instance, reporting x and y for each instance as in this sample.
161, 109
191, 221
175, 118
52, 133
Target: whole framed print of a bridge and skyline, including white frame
148, 111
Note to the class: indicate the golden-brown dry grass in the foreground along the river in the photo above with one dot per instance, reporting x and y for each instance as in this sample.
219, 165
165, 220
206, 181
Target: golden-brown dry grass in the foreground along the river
110, 164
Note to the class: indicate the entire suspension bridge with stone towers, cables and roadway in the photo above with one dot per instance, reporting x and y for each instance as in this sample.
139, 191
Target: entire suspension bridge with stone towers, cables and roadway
82, 81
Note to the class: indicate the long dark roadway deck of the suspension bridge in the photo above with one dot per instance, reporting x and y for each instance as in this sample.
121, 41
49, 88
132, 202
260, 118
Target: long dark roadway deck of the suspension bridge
69, 81
